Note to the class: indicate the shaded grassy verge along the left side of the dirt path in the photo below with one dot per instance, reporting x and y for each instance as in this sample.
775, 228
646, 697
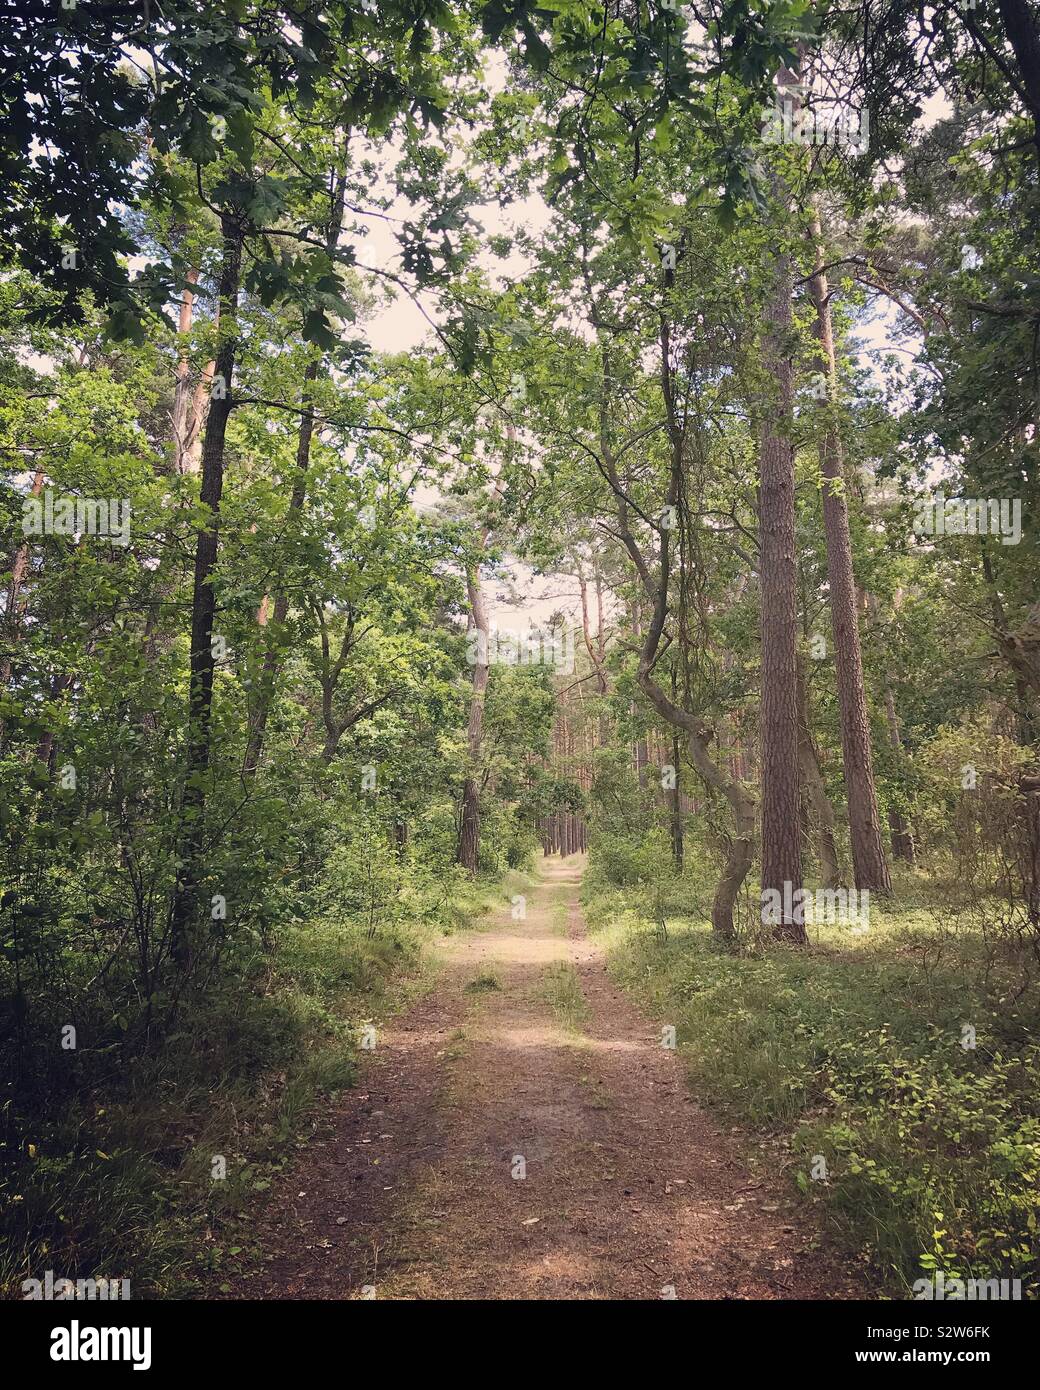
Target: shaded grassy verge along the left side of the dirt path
133, 1178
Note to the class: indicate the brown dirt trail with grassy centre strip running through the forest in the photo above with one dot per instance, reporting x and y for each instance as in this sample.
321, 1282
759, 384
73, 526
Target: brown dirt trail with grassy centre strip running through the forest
631, 1191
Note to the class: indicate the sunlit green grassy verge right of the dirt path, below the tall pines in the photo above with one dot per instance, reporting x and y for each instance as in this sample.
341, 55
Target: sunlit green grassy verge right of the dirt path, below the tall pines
895, 1074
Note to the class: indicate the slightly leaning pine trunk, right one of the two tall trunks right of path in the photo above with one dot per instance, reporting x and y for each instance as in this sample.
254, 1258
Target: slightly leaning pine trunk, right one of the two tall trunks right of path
870, 865
